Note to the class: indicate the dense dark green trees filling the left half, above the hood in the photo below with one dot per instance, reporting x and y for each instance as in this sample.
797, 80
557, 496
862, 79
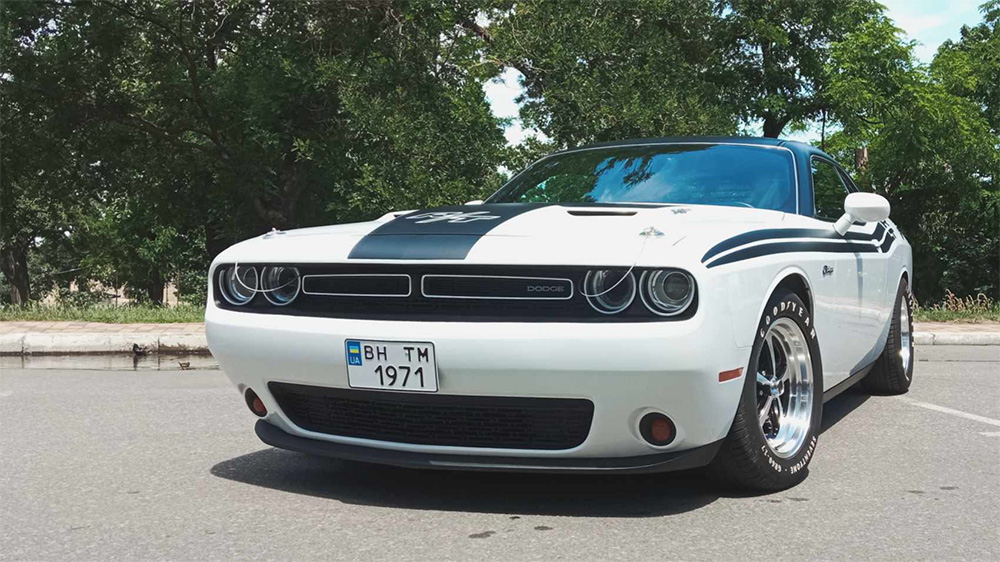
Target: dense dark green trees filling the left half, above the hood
212, 121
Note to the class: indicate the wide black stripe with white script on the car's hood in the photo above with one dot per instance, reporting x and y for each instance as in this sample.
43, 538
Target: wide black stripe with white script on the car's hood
440, 233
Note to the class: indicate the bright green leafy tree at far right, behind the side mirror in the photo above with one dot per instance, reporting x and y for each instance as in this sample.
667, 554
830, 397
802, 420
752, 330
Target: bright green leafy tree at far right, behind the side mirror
930, 146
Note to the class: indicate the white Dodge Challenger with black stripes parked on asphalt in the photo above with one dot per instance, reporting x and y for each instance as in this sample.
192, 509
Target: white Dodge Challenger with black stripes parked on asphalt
638, 306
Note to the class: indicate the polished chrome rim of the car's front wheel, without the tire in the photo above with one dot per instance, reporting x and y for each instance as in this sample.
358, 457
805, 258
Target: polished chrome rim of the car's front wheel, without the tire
785, 391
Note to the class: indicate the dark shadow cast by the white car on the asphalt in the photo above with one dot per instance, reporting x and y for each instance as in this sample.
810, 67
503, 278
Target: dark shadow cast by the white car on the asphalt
648, 495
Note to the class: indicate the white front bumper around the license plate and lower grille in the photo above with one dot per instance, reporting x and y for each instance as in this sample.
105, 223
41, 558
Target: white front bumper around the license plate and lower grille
625, 369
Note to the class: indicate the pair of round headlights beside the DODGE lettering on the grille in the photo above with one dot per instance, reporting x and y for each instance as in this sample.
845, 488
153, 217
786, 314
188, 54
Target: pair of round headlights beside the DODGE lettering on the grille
665, 292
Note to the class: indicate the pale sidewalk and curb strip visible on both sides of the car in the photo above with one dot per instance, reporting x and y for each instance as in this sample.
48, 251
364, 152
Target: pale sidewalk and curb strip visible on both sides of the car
58, 338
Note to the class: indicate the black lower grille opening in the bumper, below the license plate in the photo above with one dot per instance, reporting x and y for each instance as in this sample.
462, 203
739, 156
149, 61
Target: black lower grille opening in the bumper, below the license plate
435, 419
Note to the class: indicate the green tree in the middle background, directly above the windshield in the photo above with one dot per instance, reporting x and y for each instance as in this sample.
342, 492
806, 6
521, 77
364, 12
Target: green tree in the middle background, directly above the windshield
607, 70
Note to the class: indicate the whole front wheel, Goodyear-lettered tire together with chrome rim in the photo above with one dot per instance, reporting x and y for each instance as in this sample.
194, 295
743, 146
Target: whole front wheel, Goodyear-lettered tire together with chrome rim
777, 421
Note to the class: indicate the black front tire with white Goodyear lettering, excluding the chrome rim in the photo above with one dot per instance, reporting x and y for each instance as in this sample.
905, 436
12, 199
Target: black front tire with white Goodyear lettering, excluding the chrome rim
745, 460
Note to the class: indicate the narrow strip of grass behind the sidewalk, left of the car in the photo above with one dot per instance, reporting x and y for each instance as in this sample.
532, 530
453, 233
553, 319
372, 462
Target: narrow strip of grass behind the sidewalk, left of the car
123, 314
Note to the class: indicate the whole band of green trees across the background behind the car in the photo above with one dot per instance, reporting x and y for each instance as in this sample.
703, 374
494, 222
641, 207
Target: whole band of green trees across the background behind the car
140, 139
